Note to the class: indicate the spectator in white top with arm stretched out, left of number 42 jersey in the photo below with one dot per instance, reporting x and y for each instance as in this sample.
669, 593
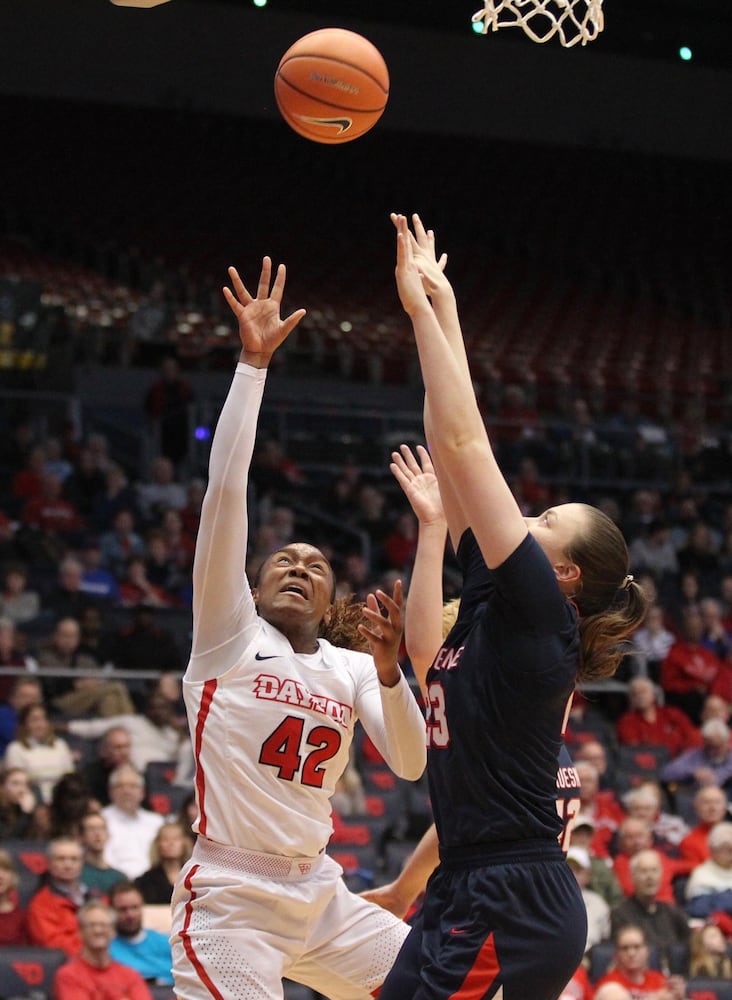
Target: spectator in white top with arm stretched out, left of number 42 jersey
156, 734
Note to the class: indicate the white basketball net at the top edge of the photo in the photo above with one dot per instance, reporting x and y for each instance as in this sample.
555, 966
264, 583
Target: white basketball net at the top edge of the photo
572, 20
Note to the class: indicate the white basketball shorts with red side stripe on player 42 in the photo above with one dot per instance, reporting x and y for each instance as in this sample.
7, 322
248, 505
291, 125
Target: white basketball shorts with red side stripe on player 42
244, 920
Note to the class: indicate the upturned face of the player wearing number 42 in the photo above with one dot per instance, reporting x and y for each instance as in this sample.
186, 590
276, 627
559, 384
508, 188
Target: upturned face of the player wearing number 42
295, 584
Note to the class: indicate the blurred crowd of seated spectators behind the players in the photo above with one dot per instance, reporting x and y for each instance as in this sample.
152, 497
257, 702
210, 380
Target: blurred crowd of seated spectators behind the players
95, 595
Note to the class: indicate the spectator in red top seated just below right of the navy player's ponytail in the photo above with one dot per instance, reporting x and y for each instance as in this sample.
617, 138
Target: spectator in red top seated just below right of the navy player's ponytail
648, 722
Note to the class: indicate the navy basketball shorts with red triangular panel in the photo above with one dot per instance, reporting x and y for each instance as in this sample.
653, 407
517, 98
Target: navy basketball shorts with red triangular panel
516, 924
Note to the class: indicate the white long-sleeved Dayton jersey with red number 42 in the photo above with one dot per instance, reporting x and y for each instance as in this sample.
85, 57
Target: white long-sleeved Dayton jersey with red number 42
271, 728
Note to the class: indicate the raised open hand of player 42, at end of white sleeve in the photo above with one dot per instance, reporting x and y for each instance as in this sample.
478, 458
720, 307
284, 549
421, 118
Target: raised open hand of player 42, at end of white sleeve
261, 330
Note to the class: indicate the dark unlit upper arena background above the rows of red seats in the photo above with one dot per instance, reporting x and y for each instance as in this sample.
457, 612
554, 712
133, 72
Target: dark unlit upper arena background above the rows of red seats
158, 129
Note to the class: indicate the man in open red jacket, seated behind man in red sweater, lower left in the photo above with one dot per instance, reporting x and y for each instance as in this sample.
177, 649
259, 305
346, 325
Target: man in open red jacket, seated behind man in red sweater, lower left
52, 909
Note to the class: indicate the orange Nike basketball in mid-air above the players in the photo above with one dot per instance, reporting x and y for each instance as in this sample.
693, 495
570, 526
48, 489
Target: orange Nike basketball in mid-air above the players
332, 85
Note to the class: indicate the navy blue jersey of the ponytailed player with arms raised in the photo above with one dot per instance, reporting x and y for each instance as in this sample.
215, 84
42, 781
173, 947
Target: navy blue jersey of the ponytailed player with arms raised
498, 692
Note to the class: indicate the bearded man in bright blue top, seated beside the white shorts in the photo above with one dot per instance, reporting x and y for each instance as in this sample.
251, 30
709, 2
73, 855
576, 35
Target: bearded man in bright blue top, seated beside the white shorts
138, 947
